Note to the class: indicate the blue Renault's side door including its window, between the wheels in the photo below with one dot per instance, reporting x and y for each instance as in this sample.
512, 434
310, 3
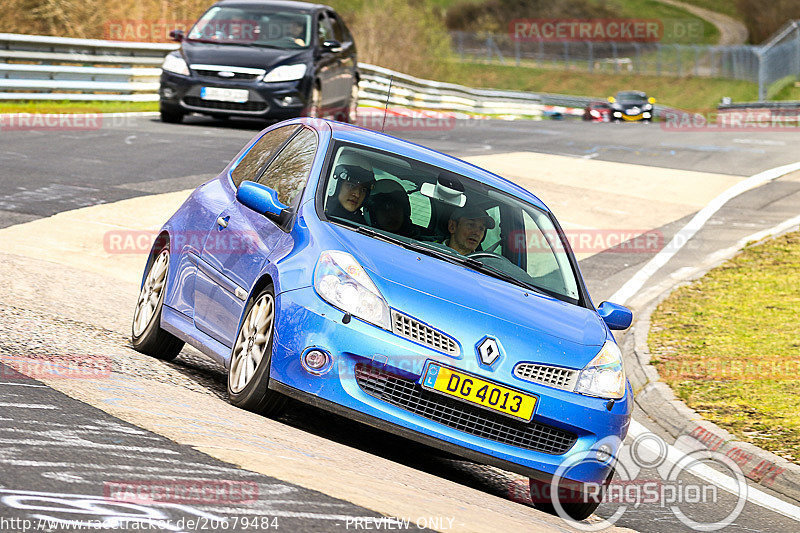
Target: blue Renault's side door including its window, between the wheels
237, 247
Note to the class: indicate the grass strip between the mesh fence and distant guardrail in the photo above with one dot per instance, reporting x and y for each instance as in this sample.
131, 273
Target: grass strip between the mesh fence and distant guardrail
685, 93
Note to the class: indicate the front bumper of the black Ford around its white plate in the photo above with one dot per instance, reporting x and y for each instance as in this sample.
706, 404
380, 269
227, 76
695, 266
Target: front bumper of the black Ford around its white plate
279, 100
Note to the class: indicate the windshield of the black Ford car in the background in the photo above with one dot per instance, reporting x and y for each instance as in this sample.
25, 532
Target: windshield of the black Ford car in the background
253, 26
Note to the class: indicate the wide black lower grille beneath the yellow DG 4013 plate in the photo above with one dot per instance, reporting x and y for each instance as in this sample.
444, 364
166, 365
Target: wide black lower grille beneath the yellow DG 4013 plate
455, 414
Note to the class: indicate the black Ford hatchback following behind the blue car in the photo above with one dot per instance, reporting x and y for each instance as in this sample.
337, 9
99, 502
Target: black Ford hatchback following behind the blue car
262, 59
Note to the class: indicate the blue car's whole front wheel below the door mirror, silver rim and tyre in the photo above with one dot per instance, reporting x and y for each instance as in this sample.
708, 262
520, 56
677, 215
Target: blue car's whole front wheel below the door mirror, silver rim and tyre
248, 375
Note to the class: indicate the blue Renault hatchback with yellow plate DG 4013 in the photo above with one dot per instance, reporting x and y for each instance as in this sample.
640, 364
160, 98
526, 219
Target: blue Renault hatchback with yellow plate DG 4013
399, 287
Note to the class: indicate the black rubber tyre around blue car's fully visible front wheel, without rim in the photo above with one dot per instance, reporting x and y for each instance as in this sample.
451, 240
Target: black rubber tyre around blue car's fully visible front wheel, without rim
255, 395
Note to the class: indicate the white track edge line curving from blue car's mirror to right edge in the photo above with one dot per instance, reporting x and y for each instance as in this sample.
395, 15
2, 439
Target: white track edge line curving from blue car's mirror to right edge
634, 285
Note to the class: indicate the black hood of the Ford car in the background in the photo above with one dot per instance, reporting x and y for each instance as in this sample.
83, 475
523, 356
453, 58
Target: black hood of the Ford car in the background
235, 55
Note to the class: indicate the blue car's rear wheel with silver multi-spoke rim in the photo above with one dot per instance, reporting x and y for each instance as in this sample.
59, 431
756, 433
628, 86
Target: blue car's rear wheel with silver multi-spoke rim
146, 333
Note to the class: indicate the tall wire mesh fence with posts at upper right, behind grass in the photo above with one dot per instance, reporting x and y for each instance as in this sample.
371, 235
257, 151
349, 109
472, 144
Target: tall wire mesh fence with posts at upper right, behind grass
768, 64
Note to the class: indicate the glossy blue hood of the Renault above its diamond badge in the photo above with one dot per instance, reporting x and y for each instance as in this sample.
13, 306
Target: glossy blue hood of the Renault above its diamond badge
468, 305
